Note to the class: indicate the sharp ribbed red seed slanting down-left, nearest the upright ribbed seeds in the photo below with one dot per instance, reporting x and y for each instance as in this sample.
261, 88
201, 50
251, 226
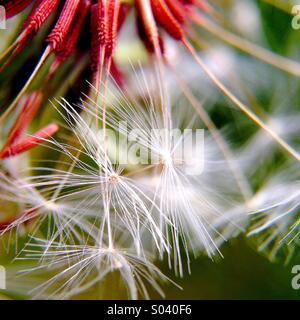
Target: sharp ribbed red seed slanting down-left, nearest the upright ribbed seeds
61, 29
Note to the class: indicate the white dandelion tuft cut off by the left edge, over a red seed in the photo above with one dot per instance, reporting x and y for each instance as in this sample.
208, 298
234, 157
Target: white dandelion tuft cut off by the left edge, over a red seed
65, 217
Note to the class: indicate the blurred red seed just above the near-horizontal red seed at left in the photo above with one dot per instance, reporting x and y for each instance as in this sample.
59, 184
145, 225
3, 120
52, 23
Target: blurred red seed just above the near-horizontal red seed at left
27, 112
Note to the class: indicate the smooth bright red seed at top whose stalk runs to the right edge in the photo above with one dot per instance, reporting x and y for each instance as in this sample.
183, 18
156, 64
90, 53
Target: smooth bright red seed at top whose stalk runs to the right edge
166, 19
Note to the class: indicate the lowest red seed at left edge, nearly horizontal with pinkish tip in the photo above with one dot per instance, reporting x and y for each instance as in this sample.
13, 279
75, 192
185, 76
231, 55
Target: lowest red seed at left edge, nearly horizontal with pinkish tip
30, 142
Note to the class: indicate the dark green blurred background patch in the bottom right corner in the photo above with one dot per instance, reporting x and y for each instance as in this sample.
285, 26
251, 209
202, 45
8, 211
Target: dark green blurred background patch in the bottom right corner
242, 274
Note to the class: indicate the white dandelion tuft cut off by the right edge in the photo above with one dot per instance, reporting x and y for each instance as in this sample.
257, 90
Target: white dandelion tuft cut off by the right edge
276, 207
